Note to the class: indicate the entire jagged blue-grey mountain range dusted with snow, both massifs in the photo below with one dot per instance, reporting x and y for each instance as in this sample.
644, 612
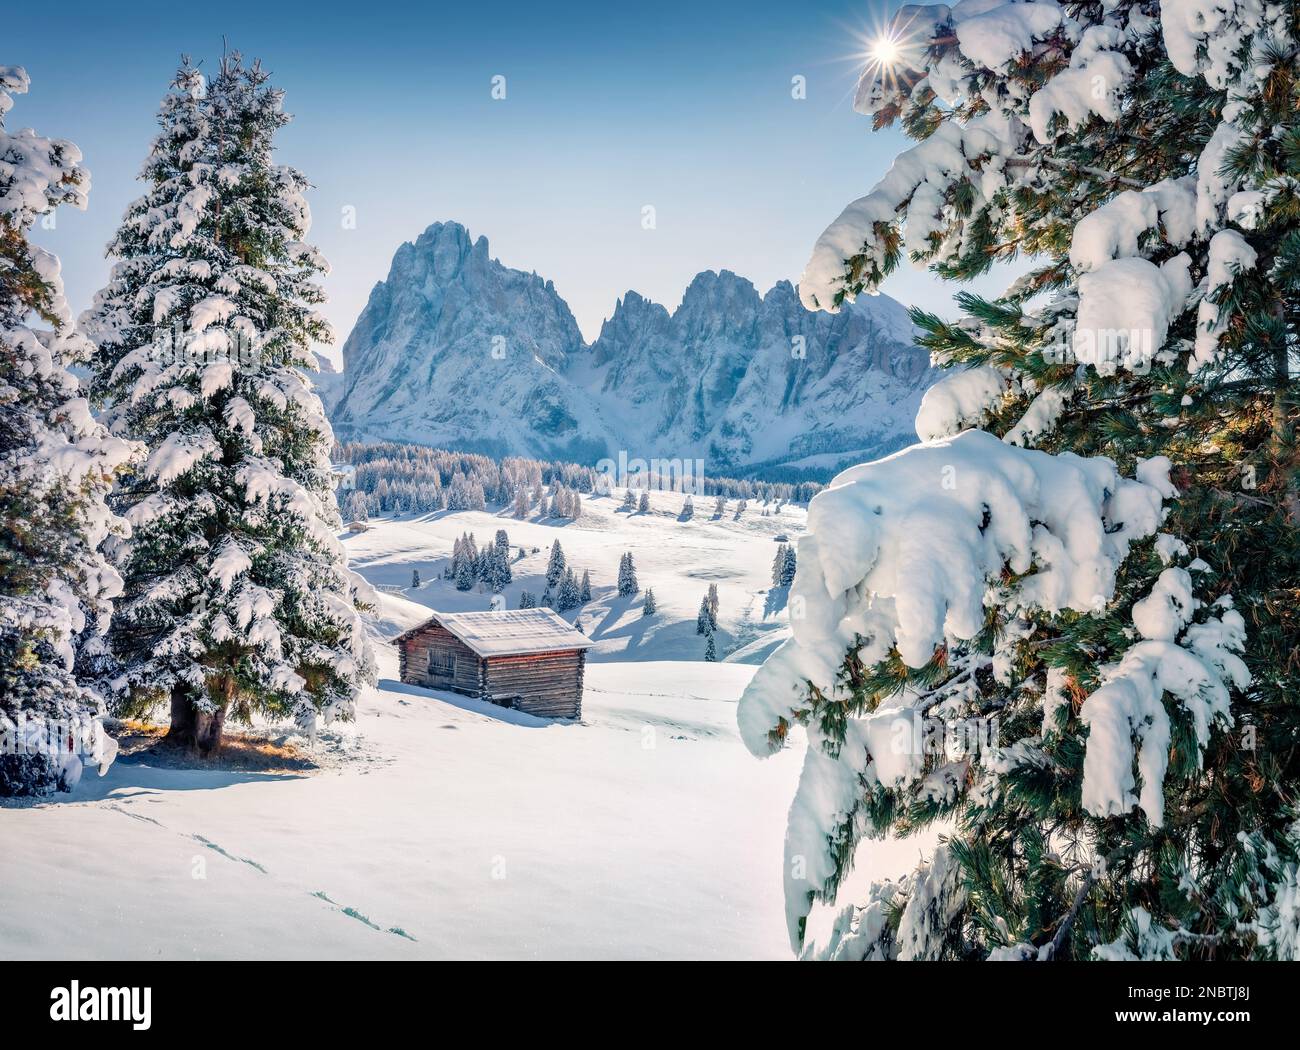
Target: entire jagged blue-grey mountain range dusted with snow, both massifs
457, 350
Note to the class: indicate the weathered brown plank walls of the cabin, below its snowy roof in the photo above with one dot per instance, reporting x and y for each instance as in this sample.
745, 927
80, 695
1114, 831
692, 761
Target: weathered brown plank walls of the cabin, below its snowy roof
544, 684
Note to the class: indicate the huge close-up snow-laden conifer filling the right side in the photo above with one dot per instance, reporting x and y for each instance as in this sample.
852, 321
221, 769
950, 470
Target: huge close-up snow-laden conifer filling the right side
1086, 601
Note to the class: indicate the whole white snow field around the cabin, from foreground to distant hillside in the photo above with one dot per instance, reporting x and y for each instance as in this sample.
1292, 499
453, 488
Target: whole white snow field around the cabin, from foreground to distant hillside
444, 827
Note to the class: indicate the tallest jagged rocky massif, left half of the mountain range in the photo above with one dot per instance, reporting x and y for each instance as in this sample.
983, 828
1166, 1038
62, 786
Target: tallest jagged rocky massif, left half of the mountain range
460, 352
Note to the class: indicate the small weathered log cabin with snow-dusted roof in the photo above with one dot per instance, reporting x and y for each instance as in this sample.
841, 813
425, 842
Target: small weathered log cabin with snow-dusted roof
527, 659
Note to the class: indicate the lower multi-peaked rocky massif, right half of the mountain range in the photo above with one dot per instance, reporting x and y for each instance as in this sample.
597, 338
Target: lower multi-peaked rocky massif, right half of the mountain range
759, 380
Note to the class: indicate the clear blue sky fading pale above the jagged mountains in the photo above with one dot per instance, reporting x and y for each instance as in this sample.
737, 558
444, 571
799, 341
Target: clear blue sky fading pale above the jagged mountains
686, 107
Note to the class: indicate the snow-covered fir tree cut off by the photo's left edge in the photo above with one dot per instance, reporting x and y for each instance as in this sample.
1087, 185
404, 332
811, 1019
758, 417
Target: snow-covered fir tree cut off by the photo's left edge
57, 467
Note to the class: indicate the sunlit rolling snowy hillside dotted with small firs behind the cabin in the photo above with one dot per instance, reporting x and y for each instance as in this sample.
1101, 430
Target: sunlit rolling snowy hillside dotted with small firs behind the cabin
678, 559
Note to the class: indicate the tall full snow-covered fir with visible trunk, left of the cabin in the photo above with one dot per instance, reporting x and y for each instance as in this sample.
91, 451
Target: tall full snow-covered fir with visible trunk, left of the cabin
237, 593
